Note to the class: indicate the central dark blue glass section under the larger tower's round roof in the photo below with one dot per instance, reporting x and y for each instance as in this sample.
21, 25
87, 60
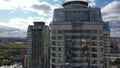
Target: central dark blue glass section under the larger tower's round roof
82, 15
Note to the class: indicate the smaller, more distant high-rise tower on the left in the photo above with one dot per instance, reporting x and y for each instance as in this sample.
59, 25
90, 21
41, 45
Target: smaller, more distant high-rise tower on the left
38, 43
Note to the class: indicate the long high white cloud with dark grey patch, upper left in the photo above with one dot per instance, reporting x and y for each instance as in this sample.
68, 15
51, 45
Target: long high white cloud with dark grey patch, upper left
42, 8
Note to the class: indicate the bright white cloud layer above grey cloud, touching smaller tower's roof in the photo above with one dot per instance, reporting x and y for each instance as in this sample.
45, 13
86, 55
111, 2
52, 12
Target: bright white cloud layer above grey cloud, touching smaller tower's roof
22, 23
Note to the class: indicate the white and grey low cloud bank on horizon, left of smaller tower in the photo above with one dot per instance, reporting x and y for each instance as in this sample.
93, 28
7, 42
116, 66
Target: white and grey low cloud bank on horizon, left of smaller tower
17, 27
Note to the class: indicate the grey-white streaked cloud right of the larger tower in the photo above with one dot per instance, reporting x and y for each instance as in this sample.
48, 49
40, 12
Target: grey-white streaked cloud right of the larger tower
111, 13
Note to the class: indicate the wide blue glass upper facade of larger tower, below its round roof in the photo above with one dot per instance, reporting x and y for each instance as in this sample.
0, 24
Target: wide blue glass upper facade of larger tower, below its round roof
89, 15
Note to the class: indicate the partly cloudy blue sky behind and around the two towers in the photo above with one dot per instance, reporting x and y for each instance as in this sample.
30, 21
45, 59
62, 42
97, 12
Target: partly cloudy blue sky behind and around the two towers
16, 15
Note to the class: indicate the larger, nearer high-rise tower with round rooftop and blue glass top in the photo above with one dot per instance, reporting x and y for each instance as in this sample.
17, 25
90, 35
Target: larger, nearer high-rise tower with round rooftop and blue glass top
79, 37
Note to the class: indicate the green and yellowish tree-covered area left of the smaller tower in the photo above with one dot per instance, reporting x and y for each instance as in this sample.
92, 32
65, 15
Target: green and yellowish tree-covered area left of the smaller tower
8, 51
